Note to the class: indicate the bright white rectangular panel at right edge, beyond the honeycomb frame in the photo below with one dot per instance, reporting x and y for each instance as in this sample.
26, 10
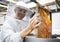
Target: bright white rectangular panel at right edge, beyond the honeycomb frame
55, 23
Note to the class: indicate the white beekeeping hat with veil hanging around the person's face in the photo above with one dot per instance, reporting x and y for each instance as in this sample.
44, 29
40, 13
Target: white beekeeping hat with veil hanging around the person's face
21, 4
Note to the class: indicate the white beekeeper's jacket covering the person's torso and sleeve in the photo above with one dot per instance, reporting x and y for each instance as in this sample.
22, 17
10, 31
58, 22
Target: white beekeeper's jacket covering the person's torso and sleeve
11, 30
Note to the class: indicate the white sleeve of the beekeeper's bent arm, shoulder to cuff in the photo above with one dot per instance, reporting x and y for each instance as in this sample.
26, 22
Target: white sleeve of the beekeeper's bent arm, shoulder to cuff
9, 35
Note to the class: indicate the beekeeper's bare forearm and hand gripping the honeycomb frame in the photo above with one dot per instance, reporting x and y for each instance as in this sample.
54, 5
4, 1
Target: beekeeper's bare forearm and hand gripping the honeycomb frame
33, 23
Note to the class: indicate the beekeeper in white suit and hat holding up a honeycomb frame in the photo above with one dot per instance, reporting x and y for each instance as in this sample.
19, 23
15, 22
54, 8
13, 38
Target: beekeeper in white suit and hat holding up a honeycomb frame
11, 31
